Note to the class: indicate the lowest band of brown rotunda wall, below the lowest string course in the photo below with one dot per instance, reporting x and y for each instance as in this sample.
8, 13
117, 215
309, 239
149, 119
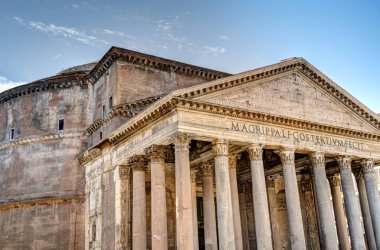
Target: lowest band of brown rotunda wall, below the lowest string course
54, 225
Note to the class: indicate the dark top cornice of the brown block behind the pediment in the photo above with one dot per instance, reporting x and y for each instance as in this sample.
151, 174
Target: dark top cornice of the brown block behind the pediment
159, 63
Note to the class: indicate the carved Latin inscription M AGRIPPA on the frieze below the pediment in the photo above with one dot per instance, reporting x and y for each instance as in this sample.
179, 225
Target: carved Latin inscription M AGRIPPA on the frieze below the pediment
295, 135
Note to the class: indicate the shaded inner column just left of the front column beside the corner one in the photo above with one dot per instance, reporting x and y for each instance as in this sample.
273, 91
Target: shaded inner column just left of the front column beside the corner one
211, 239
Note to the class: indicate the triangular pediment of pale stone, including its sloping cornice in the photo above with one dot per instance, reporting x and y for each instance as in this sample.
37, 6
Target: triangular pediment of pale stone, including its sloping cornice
289, 92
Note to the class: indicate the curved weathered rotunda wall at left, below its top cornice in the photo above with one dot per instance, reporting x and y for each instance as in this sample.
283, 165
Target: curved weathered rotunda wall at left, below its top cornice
41, 183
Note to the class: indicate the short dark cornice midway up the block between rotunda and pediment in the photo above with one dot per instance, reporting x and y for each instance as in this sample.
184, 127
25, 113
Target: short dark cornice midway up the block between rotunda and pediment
122, 110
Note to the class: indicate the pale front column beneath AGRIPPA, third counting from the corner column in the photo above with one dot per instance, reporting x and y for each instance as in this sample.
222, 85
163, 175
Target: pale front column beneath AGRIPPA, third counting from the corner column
260, 198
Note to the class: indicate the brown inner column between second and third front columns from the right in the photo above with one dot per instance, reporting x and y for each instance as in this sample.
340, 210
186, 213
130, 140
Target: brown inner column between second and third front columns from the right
340, 218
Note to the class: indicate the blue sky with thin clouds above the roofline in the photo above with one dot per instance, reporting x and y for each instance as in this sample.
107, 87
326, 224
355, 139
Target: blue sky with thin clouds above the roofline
341, 38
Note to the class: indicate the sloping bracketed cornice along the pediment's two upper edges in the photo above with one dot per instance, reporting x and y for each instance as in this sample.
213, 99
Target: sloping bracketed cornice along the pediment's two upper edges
298, 65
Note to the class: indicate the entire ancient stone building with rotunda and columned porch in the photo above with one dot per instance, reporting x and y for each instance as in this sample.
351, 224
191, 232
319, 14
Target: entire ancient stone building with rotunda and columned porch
140, 152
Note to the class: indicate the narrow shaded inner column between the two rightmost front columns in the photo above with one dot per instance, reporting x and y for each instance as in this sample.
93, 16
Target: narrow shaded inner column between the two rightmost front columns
370, 236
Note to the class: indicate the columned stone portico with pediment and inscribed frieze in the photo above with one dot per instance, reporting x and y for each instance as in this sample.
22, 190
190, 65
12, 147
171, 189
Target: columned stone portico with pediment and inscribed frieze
227, 141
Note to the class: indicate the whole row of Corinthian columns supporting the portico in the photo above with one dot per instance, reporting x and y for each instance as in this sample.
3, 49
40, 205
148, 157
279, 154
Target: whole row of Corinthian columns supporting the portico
228, 212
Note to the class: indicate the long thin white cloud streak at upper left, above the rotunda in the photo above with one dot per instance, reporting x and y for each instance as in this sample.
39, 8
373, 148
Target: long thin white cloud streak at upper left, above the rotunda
66, 32
